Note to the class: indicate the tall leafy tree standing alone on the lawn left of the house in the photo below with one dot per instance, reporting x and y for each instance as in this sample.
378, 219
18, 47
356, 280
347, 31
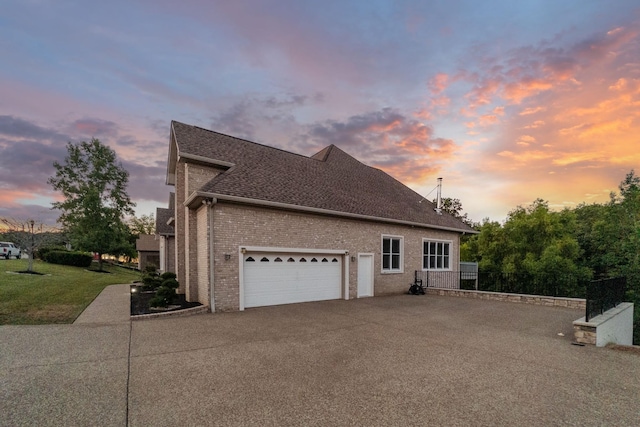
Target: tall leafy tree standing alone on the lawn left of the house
94, 187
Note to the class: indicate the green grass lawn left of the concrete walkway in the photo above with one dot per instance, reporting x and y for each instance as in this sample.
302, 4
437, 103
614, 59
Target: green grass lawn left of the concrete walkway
58, 296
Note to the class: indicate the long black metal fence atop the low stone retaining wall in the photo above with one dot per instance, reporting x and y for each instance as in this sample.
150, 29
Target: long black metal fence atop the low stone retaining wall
513, 283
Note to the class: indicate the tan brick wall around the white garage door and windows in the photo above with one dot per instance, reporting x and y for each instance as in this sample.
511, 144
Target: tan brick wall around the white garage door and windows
236, 225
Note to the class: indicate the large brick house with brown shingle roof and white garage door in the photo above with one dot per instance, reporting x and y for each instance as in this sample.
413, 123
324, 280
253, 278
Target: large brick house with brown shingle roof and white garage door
255, 225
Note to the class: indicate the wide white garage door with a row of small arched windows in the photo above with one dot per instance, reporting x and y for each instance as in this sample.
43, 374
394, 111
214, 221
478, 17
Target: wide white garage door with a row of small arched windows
286, 278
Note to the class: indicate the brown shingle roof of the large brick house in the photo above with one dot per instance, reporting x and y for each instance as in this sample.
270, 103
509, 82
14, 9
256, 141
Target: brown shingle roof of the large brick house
330, 180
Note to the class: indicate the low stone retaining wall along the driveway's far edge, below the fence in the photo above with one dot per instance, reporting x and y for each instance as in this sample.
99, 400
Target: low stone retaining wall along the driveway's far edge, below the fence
577, 303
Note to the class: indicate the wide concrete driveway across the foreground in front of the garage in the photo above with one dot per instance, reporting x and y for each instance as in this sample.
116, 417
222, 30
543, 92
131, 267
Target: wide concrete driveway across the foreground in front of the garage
401, 360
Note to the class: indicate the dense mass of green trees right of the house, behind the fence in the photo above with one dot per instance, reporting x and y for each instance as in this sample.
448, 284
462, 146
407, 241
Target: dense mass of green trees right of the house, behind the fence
590, 241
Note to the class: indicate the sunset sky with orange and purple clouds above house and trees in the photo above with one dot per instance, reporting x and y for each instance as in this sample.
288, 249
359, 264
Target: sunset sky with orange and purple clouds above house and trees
507, 101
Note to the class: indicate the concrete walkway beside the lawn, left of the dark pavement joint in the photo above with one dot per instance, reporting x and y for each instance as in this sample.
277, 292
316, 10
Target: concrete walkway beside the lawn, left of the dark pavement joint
69, 375
